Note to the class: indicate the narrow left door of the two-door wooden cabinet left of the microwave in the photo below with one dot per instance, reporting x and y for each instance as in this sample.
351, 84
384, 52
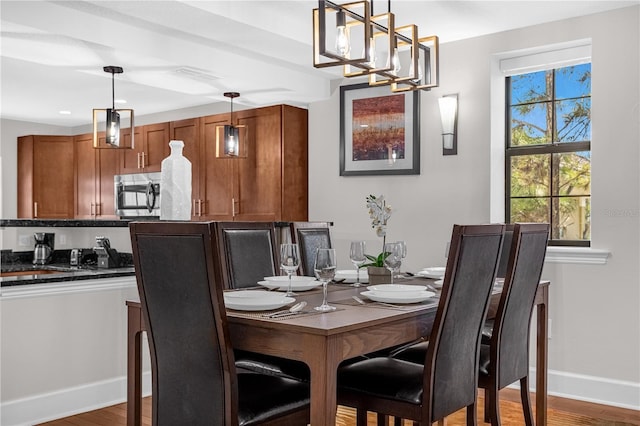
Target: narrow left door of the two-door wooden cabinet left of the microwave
86, 175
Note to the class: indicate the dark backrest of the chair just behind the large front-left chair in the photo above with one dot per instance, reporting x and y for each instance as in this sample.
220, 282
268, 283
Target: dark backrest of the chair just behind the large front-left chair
248, 252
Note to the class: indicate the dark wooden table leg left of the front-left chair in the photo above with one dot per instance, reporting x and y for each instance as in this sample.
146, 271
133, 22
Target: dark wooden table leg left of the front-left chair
134, 366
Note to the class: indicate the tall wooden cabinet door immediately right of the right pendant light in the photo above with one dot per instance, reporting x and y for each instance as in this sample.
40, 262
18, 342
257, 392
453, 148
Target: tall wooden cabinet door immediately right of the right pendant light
259, 175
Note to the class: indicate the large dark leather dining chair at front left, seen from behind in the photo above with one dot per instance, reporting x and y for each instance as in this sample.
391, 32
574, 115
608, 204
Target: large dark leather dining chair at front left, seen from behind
194, 378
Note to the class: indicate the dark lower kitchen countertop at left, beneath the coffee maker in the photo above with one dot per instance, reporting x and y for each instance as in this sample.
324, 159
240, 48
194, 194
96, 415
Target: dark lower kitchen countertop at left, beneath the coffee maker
58, 273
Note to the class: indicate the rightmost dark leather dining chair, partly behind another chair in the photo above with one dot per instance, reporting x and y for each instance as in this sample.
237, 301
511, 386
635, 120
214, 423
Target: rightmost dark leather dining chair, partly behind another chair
505, 359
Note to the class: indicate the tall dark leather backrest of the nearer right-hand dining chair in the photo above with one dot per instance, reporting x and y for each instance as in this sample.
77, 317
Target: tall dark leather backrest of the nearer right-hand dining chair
451, 365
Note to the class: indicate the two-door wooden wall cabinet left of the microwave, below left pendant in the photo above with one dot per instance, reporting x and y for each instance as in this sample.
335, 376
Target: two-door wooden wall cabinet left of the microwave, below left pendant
94, 171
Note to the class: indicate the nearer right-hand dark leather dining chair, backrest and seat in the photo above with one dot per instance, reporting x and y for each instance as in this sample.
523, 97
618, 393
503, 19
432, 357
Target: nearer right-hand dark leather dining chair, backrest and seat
446, 379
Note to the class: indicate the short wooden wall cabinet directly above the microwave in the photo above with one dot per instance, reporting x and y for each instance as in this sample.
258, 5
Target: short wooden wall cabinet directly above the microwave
150, 147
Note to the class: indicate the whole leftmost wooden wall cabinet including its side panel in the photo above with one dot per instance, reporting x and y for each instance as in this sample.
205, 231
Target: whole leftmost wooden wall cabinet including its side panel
45, 183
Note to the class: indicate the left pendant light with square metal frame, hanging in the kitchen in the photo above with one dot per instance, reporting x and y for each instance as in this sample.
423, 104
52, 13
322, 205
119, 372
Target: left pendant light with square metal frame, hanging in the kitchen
113, 119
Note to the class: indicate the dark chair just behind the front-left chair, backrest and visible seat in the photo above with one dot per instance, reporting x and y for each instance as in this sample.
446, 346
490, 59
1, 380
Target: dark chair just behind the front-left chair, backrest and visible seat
247, 255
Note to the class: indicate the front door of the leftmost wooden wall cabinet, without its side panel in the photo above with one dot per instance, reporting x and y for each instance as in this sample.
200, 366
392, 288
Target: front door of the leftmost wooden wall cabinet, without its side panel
53, 175
